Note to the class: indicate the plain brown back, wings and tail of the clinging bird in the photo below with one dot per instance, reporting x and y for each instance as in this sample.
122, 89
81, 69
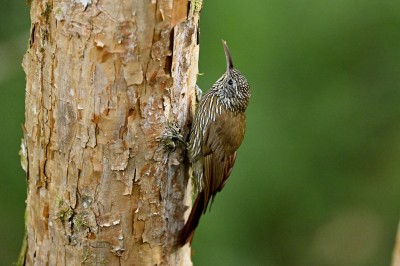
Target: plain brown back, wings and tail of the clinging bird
220, 144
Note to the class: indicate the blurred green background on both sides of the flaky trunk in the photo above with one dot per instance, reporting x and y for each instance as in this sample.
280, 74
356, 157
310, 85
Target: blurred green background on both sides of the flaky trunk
317, 180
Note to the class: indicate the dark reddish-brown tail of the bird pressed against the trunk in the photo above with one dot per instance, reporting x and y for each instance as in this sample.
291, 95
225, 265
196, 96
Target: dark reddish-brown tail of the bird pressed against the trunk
187, 232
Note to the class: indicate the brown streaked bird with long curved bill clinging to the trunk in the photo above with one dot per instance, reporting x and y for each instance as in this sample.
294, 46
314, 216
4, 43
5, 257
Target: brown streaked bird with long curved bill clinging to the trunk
216, 134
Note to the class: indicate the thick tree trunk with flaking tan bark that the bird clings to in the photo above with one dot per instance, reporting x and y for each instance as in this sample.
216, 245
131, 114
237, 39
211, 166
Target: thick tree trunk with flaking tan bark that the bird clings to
105, 78
